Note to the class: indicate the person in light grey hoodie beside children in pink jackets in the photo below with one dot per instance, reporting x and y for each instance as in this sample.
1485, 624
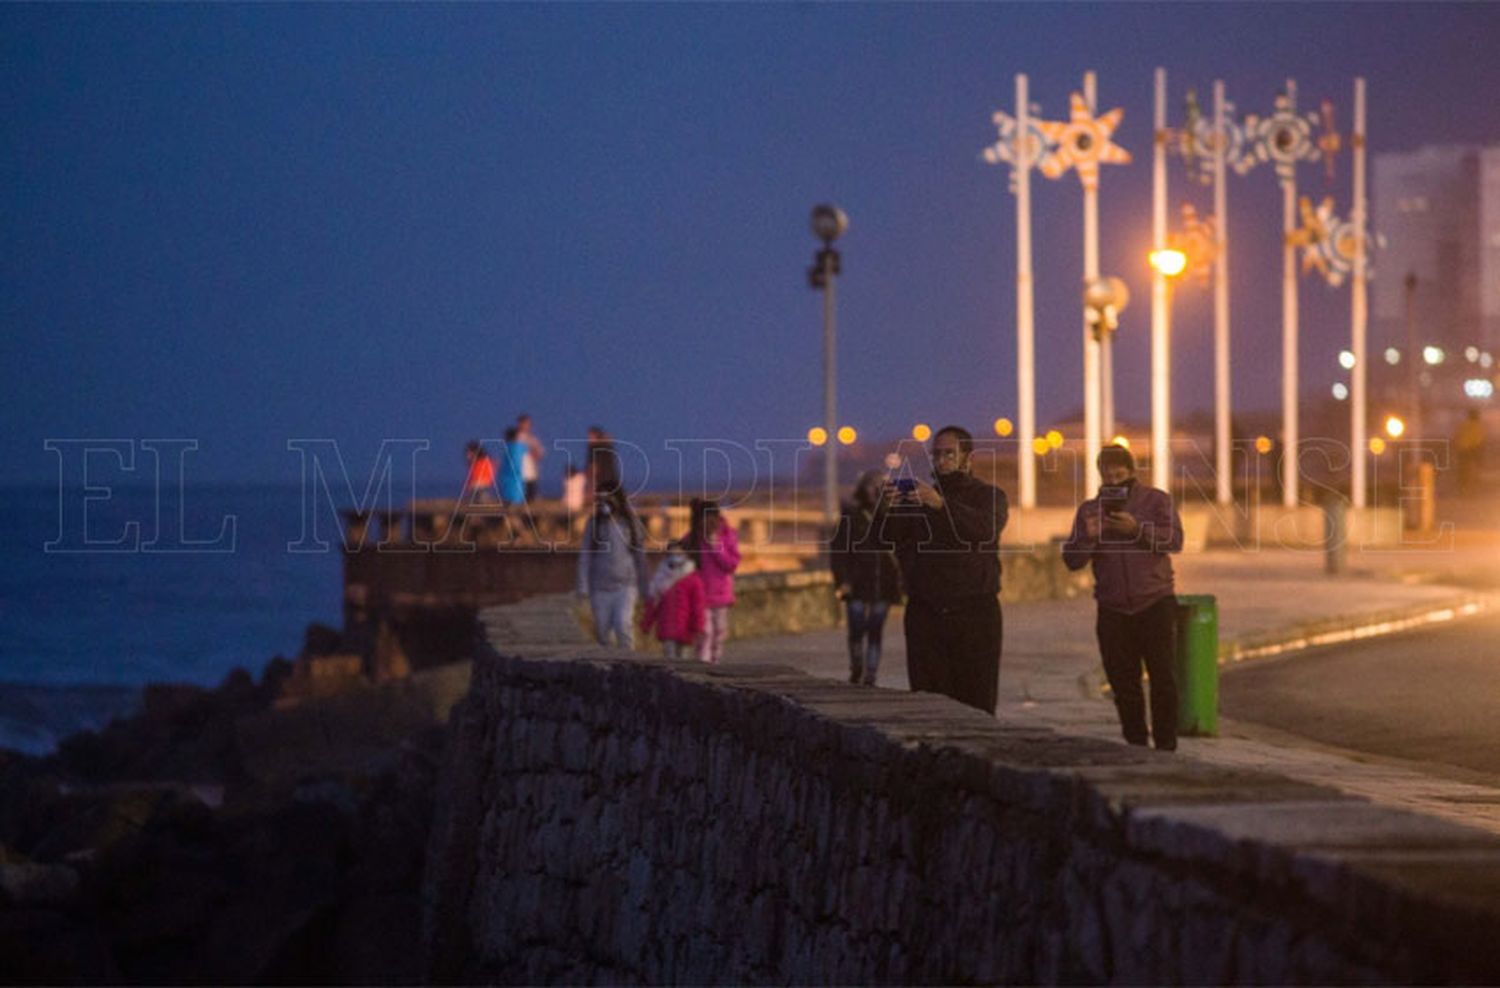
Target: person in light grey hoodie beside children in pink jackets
611, 567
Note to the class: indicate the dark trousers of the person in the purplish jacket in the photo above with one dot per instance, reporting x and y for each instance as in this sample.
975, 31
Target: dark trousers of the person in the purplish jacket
1127, 642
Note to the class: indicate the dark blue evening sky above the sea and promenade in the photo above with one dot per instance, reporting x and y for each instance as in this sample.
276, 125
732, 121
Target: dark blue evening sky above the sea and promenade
248, 226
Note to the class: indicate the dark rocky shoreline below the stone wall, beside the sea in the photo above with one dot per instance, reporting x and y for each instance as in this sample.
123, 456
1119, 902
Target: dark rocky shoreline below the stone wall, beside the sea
265, 831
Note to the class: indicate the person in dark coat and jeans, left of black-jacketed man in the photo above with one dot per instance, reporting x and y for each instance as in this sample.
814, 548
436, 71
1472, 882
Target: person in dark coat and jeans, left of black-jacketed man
866, 578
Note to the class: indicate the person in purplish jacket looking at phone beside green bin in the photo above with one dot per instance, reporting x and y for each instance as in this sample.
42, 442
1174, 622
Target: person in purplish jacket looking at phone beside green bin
1127, 533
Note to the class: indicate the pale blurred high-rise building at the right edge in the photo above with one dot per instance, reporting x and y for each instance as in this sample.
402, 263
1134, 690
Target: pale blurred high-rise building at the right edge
1439, 209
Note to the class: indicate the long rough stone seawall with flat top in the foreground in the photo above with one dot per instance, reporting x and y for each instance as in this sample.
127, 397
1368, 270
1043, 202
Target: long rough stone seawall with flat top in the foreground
605, 819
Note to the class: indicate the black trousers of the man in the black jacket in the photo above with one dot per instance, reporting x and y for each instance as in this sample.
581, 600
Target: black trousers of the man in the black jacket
955, 648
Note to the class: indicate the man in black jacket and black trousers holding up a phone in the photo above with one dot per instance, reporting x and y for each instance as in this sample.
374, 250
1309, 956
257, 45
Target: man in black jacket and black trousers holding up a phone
947, 539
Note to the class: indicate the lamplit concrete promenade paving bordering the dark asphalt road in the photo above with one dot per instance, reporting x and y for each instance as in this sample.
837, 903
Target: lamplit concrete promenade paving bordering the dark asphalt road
1051, 672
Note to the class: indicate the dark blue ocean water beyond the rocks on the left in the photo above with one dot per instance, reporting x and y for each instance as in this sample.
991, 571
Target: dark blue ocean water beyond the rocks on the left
85, 624
